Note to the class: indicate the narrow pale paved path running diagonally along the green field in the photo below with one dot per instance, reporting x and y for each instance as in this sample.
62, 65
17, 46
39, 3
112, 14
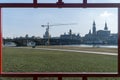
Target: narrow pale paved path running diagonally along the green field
79, 51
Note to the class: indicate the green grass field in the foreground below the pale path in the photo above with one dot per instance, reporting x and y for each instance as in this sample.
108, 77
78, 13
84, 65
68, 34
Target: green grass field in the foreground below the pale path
35, 60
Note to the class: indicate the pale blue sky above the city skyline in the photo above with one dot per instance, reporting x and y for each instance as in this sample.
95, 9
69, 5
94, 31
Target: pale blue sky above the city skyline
19, 22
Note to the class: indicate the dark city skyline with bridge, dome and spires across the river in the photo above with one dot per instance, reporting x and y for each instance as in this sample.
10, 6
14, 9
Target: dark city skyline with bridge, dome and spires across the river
94, 36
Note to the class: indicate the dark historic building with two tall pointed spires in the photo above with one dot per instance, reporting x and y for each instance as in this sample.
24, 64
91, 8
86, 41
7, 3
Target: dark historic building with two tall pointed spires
97, 37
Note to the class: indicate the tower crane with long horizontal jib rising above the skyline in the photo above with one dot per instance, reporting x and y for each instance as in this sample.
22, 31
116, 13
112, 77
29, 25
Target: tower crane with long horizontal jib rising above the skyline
47, 34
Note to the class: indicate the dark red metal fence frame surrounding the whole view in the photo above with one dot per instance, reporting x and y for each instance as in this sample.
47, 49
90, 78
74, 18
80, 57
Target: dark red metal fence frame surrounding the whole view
60, 75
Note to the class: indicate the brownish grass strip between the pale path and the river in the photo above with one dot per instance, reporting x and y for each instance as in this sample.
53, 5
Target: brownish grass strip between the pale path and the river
96, 49
